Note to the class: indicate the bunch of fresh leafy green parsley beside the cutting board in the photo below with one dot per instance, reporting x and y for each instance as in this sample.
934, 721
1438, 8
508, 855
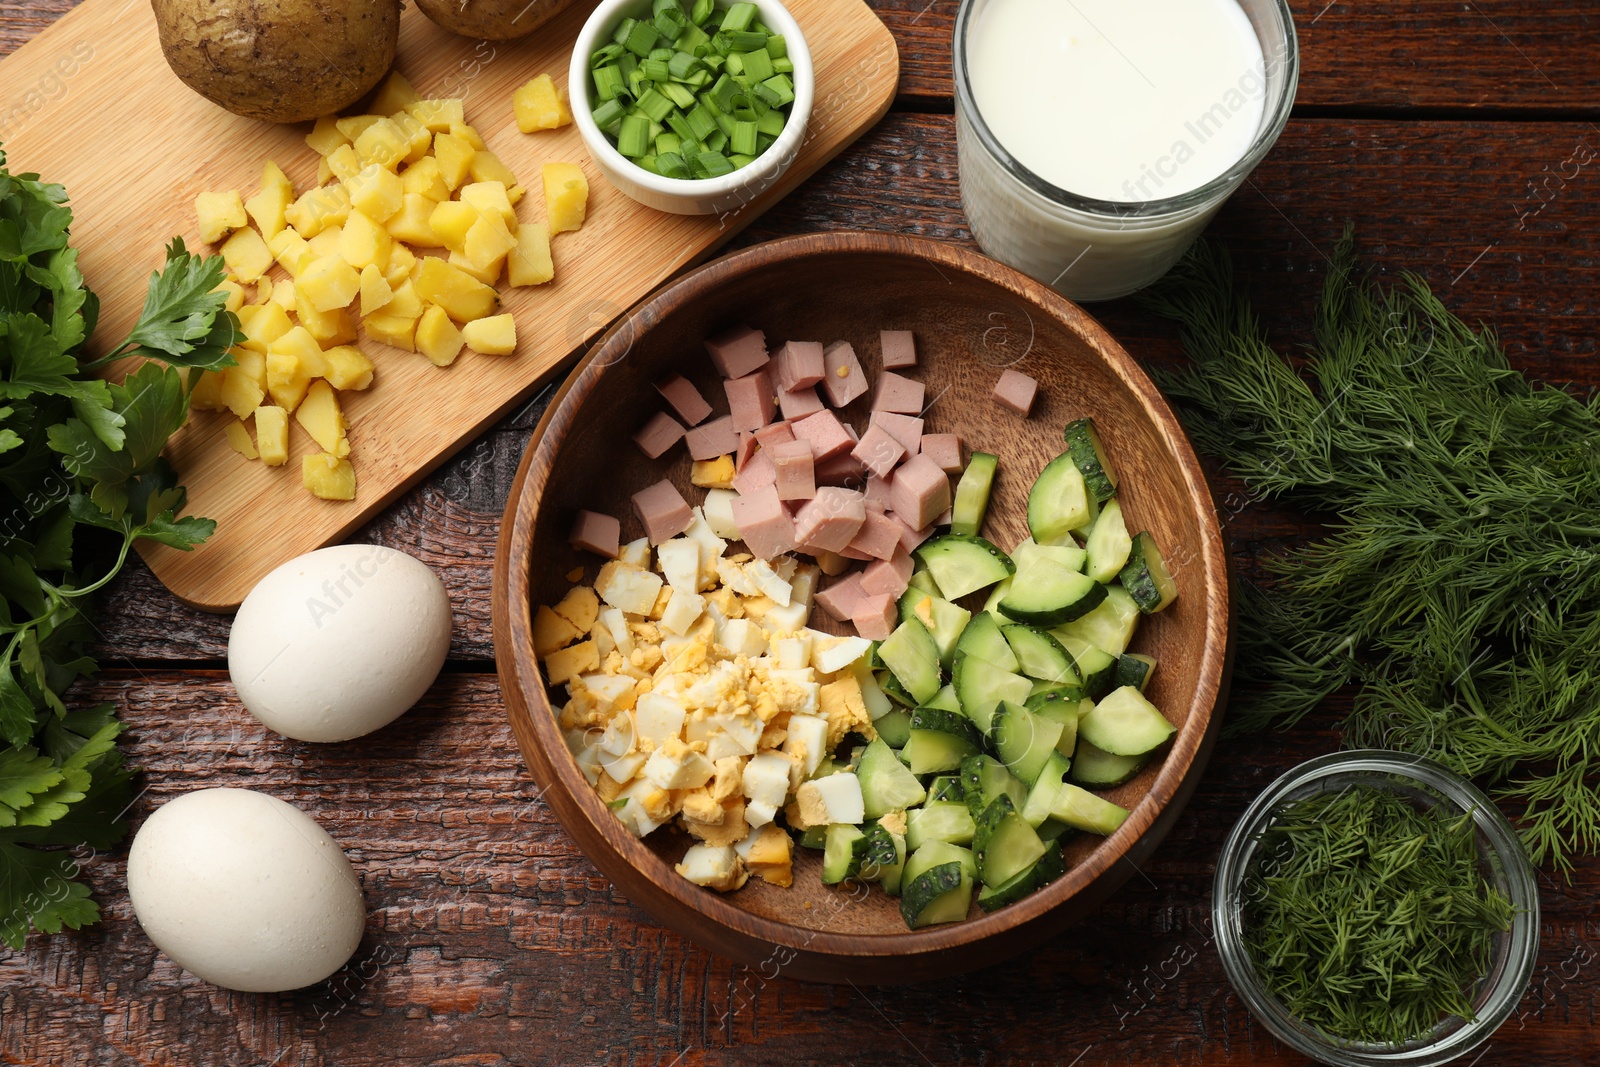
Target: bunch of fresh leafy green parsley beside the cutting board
82, 479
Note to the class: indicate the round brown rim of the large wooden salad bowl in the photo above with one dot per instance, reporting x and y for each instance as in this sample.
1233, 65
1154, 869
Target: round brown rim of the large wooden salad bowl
569, 793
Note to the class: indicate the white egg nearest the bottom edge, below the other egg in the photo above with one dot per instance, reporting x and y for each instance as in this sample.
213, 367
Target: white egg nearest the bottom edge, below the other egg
246, 892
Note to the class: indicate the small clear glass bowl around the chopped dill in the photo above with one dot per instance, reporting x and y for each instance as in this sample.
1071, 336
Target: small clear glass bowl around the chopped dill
1505, 866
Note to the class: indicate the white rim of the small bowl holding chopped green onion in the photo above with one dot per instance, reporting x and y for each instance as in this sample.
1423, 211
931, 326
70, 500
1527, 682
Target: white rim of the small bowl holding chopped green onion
778, 154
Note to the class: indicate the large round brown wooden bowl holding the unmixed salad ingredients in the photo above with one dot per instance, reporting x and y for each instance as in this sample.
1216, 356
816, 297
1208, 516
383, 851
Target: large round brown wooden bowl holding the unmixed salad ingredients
972, 318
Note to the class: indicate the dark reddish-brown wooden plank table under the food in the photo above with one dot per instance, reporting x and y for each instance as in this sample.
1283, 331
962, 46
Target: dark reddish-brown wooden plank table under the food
1446, 130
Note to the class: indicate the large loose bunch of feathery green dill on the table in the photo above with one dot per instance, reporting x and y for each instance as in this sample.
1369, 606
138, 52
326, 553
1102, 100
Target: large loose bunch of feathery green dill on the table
1460, 580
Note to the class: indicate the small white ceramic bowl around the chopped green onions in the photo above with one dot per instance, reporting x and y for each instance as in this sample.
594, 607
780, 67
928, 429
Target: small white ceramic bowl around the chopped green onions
690, 196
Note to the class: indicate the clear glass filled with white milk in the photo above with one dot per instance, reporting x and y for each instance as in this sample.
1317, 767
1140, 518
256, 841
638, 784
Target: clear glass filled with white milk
1097, 138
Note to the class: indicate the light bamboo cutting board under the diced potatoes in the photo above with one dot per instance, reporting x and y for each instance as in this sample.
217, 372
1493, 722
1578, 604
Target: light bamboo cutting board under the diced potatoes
92, 103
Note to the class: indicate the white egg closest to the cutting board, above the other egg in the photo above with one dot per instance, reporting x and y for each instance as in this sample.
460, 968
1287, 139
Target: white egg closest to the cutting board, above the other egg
340, 642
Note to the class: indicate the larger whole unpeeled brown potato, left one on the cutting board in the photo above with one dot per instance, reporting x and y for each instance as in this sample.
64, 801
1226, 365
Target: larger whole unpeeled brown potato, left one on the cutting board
279, 60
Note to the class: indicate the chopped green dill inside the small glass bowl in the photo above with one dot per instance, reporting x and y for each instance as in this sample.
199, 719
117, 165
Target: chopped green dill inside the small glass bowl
1369, 917
